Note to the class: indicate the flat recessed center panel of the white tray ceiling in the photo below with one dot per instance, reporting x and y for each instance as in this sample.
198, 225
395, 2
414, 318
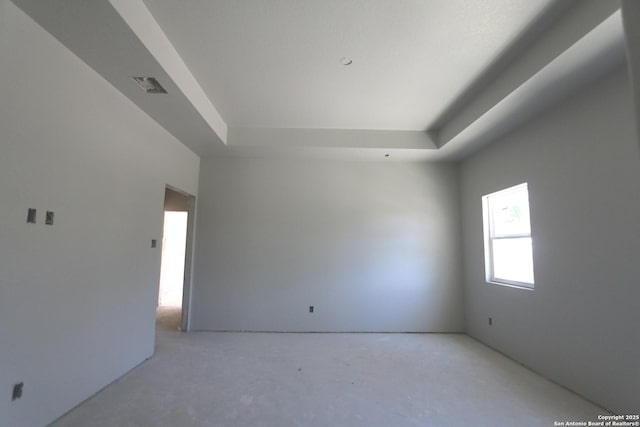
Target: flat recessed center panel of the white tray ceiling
275, 64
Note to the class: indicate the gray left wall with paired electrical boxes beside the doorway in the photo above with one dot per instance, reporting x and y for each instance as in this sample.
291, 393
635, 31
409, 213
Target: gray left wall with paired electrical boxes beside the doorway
77, 298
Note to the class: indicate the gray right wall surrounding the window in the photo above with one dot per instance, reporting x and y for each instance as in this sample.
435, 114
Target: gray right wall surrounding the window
580, 324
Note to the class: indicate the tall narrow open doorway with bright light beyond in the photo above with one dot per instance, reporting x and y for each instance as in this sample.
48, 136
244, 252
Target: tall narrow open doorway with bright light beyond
172, 313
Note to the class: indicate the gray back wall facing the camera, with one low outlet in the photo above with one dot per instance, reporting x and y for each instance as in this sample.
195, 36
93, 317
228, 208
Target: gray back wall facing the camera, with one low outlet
372, 246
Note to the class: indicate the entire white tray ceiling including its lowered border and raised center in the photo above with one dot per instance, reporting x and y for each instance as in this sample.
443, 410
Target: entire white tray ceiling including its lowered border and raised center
430, 79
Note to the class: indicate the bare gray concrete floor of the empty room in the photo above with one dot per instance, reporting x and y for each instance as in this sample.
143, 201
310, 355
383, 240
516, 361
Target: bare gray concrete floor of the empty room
269, 379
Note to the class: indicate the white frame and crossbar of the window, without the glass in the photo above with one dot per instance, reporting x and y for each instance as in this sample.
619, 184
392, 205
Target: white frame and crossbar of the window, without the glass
489, 238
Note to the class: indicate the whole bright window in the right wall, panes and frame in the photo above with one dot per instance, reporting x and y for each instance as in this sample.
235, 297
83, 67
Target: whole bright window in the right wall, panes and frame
508, 243
